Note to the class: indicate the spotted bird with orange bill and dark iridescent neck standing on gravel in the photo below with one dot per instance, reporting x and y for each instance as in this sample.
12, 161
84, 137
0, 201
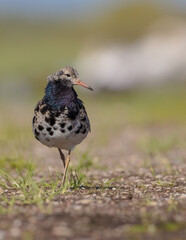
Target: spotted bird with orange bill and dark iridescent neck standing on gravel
60, 118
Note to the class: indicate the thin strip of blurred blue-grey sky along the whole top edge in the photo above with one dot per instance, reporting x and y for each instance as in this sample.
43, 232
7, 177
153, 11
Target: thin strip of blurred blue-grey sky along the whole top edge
68, 7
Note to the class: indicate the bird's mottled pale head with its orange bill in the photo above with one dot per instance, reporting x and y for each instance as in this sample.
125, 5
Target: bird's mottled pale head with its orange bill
68, 76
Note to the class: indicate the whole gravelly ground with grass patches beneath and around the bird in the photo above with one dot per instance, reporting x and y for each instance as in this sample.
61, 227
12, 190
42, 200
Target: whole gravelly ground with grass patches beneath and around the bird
127, 179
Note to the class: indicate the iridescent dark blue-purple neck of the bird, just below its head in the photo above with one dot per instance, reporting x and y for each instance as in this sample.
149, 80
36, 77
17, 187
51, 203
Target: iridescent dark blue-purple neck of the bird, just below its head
59, 96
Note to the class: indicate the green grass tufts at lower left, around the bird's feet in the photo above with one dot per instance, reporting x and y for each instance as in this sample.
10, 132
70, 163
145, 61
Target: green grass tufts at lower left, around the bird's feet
27, 188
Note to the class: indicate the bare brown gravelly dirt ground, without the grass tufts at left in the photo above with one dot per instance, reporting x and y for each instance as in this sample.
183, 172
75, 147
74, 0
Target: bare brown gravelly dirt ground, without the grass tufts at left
137, 192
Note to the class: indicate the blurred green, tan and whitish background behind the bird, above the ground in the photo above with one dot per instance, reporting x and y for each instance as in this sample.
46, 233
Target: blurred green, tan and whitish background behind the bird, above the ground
133, 53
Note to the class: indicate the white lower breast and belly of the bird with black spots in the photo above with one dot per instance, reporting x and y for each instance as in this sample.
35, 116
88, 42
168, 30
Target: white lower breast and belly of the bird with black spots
64, 134
